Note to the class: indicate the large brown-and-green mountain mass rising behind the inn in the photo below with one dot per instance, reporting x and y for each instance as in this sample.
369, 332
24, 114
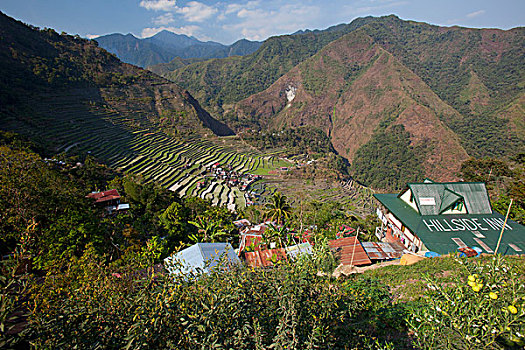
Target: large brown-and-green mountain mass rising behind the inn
391, 94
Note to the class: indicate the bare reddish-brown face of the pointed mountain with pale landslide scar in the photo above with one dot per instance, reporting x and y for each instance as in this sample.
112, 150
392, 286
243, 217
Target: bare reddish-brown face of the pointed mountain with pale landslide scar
341, 99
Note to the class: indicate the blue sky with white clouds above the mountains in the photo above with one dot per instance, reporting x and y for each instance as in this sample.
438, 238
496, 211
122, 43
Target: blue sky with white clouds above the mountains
227, 21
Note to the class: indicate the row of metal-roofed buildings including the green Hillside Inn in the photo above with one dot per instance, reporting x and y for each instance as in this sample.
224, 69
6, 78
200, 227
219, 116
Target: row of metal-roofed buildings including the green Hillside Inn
426, 219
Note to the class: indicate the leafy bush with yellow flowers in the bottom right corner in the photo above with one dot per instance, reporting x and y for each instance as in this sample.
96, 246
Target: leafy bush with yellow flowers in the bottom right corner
484, 306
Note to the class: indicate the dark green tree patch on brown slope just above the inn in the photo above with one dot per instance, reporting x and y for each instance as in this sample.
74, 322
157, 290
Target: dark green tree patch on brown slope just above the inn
388, 160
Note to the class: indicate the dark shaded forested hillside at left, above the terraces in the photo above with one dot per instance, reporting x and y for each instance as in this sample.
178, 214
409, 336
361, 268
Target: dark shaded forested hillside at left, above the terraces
41, 69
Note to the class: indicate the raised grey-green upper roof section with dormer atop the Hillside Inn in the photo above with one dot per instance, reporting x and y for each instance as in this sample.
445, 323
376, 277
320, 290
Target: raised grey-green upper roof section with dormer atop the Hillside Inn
443, 195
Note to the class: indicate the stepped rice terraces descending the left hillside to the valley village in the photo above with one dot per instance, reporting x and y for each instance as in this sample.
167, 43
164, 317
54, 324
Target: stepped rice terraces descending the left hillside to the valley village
132, 143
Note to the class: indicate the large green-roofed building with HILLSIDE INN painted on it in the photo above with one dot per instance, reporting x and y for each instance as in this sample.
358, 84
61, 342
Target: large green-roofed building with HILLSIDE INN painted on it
443, 217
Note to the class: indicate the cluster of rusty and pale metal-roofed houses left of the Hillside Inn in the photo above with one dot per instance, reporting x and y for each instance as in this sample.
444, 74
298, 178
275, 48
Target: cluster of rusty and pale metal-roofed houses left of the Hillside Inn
257, 251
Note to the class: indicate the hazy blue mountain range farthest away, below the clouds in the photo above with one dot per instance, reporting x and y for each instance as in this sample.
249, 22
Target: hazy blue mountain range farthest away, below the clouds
165, 46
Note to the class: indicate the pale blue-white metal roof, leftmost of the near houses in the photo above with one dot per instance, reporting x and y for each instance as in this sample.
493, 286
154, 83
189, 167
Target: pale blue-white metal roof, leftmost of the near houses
200, 257
